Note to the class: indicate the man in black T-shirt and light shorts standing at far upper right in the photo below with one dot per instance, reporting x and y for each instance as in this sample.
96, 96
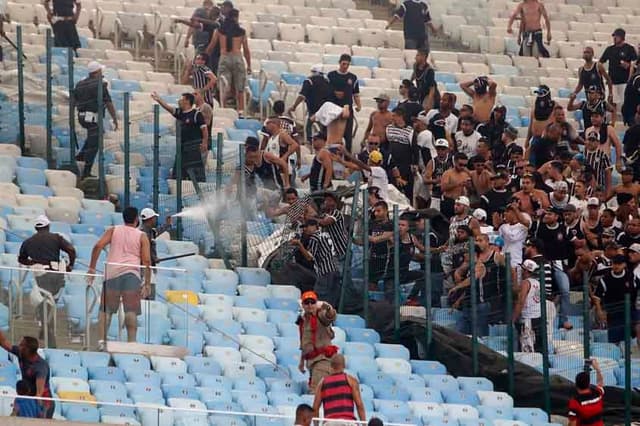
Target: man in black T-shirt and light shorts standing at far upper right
620, 55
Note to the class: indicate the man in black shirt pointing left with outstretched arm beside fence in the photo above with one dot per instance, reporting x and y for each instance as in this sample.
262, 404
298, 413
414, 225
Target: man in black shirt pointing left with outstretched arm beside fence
194, 135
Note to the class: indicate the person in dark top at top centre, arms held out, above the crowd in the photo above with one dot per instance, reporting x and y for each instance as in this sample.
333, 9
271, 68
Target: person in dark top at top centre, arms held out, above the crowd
415, 15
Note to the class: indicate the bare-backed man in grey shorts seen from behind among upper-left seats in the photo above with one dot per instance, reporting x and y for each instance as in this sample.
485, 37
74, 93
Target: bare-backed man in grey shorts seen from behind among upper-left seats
233, 47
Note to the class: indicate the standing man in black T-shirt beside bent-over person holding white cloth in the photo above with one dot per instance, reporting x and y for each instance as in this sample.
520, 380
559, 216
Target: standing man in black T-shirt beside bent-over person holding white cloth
346, 91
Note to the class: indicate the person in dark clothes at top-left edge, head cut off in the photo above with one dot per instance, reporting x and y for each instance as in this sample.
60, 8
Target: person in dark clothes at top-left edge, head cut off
63, 18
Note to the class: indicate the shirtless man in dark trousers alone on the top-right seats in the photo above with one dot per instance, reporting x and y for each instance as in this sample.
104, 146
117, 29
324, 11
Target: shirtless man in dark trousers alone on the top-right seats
530, 14
